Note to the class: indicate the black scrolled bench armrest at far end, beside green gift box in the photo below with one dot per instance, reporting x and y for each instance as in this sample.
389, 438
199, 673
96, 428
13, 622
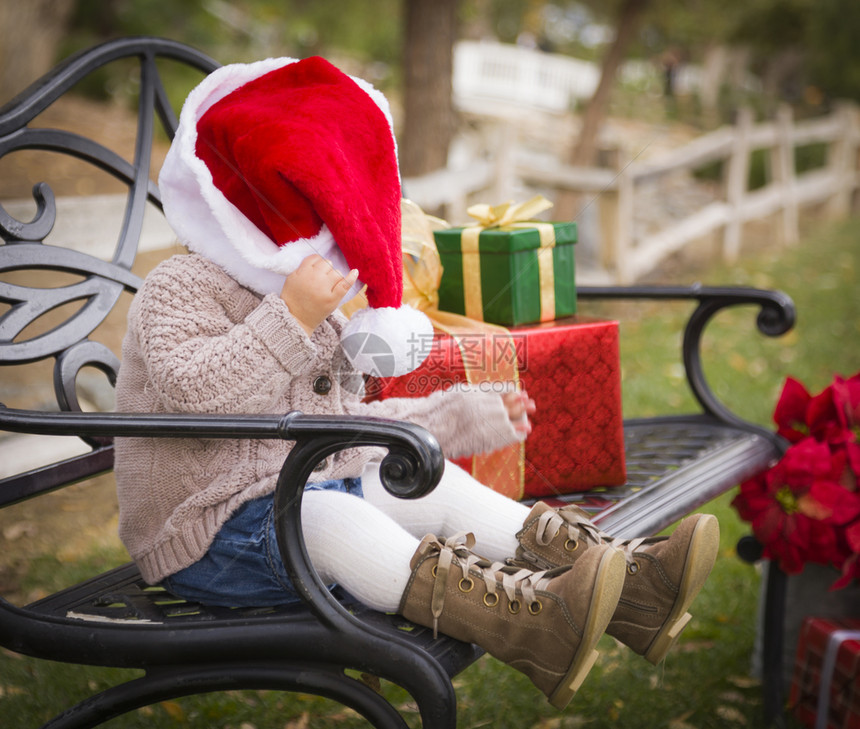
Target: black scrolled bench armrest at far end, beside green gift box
776, 316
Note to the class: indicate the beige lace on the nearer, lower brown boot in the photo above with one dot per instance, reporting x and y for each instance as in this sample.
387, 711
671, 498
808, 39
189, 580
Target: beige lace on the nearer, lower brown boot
456, 559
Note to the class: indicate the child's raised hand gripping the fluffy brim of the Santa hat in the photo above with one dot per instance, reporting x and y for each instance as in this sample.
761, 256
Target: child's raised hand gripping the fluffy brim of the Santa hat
314, 290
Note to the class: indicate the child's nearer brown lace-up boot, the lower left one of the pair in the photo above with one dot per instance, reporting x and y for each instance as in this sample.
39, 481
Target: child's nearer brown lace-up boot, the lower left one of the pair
543, 623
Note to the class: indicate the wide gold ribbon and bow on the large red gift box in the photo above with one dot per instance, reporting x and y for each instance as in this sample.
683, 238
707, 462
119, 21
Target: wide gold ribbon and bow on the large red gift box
487, 350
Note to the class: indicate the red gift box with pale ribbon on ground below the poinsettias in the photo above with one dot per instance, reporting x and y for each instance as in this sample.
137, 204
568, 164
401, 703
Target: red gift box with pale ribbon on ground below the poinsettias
825, 688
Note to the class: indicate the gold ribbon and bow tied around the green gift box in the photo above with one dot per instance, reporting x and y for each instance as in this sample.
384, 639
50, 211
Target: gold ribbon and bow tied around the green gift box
510, 216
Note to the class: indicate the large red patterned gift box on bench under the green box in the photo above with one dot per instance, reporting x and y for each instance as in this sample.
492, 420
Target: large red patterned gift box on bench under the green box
571, 369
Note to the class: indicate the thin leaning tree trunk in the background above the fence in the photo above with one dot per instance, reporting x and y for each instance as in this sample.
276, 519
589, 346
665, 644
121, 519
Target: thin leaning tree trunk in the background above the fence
585, 151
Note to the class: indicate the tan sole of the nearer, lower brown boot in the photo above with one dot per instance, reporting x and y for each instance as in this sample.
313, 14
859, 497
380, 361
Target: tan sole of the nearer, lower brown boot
607, 591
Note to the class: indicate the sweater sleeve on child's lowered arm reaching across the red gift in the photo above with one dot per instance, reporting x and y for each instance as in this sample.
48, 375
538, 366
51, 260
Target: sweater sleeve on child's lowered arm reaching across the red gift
465, 419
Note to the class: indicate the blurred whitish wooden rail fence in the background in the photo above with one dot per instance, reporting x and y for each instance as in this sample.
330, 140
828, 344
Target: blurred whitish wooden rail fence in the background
627, 256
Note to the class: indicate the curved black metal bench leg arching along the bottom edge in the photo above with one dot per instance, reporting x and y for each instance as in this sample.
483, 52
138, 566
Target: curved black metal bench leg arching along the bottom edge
169, 683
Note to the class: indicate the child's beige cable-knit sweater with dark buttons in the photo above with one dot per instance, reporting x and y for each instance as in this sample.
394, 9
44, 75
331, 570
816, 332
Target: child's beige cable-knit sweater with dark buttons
198, 342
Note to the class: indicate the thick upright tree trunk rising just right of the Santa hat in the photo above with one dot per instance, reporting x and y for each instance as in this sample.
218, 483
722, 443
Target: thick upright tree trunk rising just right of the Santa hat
428, 63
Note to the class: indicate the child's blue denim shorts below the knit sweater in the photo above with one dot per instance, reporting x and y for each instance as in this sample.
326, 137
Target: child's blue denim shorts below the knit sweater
243, 567
